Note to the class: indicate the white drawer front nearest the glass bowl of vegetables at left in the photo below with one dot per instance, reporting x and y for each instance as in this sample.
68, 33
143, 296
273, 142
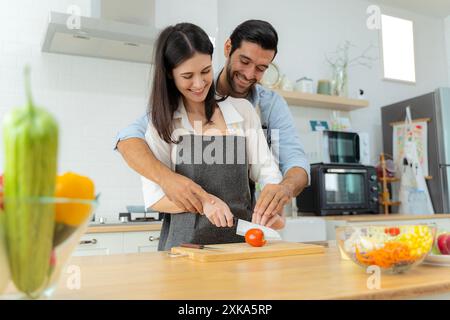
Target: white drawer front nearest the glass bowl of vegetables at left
94, 244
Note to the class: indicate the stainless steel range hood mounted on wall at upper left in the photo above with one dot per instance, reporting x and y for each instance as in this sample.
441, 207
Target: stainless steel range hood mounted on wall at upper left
101, 37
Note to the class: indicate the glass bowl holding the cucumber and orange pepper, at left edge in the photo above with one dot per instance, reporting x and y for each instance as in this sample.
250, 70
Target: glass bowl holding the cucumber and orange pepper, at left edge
39, 236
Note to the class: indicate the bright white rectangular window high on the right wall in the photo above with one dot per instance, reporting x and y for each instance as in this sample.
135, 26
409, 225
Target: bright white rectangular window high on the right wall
398, 49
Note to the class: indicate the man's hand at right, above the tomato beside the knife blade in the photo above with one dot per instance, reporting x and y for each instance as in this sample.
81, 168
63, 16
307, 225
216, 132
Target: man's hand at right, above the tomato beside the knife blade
271, 202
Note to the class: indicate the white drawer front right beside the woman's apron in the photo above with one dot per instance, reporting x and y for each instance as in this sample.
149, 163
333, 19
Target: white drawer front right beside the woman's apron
136, 242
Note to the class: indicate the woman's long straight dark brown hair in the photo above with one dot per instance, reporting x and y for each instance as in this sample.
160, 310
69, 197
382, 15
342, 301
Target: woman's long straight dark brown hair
175, 45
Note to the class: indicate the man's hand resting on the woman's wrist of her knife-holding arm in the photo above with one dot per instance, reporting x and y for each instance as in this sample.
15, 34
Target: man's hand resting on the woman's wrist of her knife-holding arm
185, 193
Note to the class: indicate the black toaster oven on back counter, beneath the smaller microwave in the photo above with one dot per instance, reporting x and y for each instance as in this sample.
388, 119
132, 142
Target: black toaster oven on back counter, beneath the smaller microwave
338, 189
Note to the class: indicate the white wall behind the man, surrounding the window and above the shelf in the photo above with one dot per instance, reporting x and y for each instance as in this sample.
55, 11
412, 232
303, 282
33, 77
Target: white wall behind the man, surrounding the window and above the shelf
309, 29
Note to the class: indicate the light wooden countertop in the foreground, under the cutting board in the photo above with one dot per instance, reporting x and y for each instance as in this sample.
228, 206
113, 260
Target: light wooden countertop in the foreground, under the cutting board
319, 276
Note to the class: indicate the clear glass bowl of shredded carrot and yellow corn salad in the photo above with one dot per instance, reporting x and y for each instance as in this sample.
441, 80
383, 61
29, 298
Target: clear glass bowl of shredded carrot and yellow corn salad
394, 249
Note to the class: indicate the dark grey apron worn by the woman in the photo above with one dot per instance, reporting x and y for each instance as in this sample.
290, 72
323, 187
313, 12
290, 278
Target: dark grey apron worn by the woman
226, 177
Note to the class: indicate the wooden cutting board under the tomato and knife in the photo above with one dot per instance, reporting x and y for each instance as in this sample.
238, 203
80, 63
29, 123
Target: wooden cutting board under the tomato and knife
242, 251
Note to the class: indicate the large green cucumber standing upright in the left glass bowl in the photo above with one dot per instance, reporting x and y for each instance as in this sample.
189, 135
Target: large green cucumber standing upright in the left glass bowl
30, 136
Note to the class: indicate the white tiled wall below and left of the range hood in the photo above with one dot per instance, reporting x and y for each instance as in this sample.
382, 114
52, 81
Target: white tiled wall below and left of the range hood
91, 99
